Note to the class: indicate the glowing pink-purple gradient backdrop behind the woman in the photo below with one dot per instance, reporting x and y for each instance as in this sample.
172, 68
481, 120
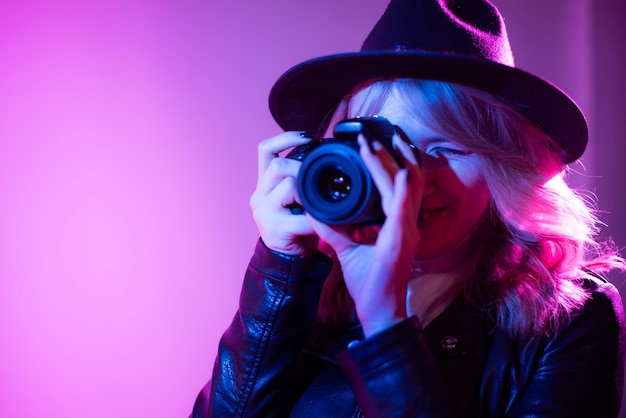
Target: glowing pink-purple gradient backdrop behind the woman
128, 133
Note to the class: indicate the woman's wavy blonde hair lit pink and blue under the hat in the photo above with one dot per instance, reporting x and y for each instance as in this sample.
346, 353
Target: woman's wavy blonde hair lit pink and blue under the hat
539, 238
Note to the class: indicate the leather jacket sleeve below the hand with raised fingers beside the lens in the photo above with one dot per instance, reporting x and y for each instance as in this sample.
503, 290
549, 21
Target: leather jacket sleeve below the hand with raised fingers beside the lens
394, 374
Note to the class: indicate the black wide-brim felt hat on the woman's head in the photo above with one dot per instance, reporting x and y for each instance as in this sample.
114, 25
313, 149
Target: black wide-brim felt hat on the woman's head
460, 41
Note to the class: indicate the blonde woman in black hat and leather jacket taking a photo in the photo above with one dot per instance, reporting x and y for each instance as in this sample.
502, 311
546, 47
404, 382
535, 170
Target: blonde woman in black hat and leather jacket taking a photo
478, 295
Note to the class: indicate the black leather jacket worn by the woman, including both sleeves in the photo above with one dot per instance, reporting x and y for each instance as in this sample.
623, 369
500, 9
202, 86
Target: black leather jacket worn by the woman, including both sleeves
460, 365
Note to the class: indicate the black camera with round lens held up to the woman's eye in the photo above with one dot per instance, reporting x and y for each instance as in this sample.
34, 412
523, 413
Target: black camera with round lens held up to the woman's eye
334, 184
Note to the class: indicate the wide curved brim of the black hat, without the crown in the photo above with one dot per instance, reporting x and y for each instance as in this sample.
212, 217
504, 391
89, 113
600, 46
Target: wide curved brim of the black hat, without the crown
304, 95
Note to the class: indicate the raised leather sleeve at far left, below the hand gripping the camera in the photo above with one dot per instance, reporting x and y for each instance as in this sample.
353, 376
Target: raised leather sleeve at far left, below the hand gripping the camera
254, 371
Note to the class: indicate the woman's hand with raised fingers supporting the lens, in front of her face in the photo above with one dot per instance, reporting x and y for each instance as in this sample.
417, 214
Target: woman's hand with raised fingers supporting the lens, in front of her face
376, 271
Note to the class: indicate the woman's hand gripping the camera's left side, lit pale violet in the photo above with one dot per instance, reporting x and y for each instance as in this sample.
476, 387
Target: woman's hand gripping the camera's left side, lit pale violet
280, 229
